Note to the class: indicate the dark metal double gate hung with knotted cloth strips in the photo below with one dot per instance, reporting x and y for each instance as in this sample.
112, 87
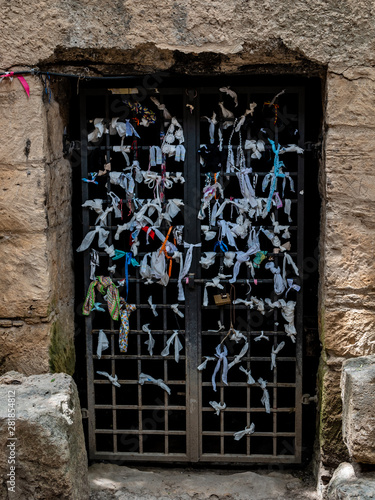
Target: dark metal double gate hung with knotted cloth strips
139, 420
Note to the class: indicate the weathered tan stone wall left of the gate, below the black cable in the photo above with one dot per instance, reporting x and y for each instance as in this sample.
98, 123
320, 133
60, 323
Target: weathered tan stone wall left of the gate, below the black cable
36, 298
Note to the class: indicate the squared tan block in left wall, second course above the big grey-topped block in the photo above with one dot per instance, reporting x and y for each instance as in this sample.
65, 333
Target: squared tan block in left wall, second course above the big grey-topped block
24, 268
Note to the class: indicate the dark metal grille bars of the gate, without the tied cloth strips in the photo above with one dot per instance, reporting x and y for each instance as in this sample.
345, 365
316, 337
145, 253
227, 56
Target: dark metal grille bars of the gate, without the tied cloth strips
142, 422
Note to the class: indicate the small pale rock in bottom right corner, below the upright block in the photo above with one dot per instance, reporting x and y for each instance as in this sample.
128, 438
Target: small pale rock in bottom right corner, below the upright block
345, 485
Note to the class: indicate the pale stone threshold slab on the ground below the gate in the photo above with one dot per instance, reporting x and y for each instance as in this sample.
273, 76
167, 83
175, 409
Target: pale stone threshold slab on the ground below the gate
113, 482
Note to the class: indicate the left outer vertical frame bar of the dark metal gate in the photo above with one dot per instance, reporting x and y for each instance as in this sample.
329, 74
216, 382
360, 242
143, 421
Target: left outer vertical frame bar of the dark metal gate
86, 280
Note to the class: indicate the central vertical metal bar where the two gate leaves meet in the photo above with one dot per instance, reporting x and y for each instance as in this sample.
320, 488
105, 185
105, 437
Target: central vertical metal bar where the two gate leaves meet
192, 296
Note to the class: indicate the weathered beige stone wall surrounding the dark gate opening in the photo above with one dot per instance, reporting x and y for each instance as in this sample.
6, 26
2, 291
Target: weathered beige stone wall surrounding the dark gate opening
333, 39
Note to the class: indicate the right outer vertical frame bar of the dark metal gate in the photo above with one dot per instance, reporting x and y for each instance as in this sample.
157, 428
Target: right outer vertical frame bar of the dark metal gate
300, 254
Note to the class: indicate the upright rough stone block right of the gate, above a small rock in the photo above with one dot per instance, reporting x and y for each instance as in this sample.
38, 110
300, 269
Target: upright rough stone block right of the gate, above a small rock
358, 399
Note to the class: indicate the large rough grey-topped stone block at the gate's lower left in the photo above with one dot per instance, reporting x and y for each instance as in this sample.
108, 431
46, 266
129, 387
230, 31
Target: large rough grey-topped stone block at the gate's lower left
50, 456
